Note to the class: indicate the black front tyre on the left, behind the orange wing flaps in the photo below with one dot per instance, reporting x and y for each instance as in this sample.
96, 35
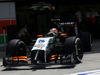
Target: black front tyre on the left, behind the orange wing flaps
16, 47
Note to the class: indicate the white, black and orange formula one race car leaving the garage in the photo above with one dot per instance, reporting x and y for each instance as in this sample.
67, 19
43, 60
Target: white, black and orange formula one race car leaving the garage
54, 47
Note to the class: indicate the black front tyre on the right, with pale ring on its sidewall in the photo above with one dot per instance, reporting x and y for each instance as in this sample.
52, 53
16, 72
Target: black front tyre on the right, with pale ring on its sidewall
74, 46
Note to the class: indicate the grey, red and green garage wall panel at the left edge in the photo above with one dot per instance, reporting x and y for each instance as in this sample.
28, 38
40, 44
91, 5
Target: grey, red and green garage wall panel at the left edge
7, 17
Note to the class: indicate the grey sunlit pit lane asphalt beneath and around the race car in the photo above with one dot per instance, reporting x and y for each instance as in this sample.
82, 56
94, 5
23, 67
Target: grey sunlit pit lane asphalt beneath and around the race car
90, 65
